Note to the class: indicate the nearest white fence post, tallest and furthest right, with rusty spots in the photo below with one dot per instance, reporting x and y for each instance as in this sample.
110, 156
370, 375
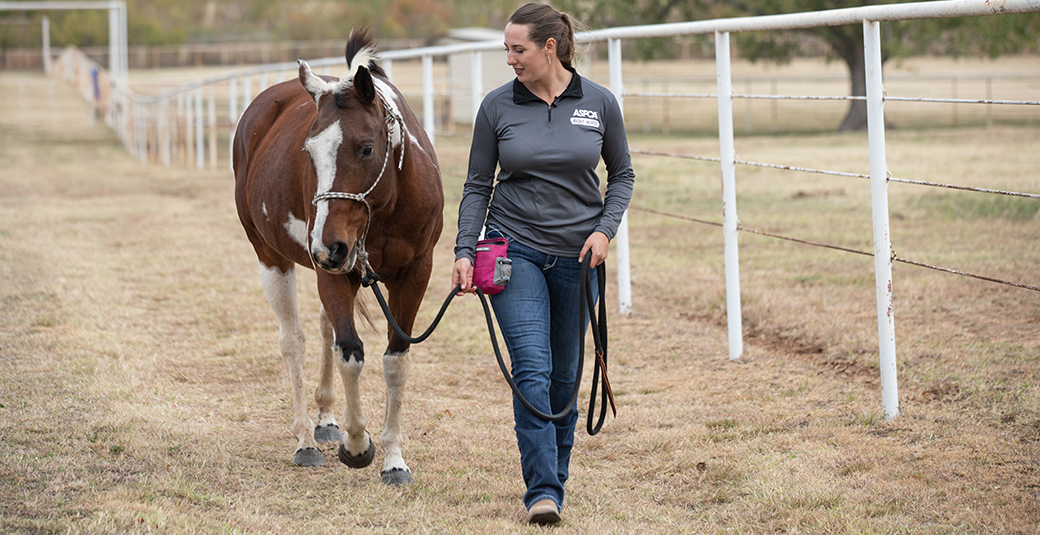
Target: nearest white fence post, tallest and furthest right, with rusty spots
879, 209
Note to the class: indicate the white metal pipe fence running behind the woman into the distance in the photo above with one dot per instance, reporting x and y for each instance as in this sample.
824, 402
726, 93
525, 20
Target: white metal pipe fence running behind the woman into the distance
185, 124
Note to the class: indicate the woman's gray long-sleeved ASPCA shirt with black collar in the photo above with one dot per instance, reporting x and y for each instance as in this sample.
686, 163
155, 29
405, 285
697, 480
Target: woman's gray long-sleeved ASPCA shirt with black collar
548, 195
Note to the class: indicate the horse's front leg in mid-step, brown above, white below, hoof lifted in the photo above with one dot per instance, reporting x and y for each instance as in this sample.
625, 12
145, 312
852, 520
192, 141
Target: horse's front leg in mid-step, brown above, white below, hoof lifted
337, 293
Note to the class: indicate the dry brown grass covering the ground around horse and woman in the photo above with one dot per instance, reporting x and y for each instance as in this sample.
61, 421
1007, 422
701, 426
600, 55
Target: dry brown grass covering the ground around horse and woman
142, 390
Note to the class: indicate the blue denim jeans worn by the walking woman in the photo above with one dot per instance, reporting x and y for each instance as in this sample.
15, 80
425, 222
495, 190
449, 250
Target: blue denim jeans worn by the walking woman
539, 317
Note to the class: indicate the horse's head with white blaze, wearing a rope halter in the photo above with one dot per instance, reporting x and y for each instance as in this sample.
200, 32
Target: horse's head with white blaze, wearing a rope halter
351, 145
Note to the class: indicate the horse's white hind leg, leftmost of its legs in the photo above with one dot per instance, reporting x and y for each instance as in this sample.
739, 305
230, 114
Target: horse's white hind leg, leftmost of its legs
280, 287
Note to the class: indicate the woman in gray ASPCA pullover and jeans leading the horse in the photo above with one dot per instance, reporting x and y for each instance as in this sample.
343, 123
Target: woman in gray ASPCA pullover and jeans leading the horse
547, 132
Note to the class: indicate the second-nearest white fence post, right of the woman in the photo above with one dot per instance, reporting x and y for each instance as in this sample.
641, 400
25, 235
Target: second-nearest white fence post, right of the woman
727, 156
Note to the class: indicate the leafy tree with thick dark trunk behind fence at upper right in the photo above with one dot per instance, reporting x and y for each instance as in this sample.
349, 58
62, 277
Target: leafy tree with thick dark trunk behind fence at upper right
975, 36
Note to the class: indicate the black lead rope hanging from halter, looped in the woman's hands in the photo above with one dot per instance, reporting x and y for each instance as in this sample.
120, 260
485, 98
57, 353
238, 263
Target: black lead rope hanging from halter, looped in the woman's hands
600, 337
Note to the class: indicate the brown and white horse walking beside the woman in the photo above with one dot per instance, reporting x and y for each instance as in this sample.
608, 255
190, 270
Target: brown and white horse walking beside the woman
340, 176
